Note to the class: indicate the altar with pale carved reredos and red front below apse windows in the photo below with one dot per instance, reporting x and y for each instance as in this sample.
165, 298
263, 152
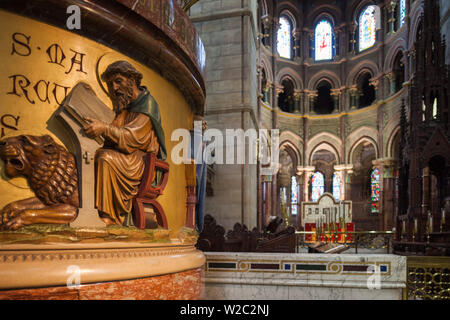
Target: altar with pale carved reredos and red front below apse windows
331, 220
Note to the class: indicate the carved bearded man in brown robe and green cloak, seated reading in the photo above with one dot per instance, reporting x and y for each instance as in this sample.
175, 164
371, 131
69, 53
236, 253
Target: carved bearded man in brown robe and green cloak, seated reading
135, 131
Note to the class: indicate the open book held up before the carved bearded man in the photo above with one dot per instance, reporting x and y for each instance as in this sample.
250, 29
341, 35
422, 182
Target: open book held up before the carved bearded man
82, 104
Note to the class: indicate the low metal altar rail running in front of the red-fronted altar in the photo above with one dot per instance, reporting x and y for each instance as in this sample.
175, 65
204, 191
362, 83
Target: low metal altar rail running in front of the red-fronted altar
355, 239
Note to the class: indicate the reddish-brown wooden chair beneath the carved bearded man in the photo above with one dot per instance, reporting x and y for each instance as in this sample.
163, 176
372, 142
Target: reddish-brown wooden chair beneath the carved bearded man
149, 191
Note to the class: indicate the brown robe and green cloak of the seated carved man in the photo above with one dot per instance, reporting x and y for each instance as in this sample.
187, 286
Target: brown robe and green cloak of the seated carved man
120, 163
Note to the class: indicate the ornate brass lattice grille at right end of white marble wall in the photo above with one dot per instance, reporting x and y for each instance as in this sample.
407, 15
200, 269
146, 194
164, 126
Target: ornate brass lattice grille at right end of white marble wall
428, 278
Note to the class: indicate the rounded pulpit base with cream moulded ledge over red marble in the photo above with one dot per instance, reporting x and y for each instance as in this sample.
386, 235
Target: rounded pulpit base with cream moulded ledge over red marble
107, 271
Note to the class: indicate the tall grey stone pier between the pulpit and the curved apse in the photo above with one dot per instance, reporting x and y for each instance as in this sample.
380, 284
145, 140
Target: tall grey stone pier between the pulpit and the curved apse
228, 31
